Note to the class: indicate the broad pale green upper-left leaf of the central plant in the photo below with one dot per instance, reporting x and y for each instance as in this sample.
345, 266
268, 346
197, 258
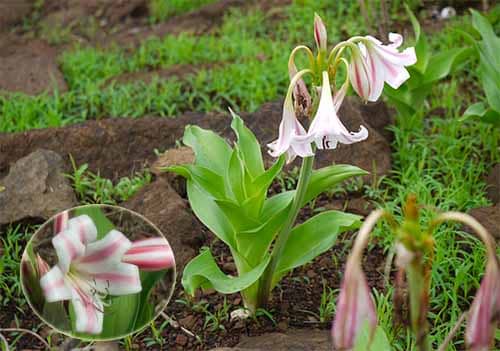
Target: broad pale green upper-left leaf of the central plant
211, 150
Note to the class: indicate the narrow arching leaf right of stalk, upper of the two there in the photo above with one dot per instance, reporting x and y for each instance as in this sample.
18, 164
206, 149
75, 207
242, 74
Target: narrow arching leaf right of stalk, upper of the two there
327, 177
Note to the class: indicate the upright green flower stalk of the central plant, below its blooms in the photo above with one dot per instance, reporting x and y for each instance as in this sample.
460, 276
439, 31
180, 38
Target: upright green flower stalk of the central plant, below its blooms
282, 238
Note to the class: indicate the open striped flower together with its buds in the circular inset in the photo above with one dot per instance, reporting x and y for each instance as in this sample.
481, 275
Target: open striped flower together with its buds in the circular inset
88, 270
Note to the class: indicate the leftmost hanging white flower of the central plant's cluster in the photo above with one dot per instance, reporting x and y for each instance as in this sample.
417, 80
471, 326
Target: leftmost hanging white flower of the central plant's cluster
291, 135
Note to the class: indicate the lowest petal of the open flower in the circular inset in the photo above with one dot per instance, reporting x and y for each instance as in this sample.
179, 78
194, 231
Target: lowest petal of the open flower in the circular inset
88, 311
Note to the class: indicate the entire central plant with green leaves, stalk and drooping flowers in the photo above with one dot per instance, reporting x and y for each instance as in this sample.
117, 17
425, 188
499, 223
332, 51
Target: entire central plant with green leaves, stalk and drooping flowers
228, 186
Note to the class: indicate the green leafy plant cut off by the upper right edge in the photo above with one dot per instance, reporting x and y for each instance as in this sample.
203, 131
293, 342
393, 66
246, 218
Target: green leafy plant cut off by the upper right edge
489, 72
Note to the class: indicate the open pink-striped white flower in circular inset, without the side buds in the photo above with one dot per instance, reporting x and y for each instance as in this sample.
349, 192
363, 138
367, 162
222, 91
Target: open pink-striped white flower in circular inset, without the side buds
88, 270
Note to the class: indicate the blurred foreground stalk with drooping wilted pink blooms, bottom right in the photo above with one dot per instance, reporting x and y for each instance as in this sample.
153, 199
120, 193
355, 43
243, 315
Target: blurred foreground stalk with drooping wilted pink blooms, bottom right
355, 325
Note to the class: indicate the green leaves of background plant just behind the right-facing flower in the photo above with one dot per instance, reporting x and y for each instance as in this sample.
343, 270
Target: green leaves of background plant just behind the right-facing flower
429, 69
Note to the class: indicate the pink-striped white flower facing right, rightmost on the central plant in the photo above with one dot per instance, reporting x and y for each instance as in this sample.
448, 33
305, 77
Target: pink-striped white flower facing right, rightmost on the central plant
373, 63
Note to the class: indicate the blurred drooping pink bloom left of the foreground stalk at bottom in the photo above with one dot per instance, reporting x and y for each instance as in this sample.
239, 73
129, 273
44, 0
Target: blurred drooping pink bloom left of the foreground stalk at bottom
355, 307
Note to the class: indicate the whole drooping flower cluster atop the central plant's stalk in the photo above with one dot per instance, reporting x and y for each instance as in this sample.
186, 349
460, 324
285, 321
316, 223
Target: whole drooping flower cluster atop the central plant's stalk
369, 65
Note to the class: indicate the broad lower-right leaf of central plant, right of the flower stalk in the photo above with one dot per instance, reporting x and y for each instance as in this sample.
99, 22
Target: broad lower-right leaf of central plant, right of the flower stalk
312, 238
